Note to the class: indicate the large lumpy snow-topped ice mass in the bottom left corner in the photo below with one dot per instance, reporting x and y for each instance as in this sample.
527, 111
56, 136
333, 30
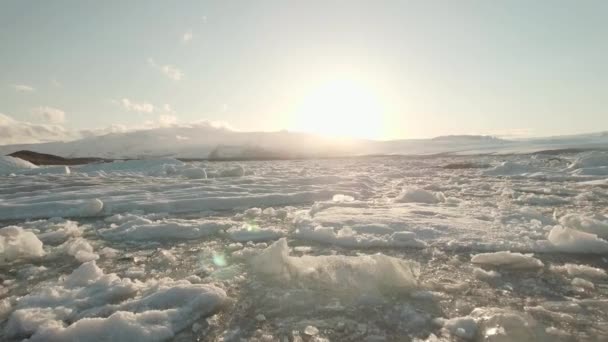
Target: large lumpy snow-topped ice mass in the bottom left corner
90, 304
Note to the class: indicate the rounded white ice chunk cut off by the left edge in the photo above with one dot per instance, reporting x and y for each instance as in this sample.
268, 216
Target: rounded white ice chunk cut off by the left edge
16, 243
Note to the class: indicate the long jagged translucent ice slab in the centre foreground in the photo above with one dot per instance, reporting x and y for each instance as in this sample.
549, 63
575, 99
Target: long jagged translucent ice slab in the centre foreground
337, 273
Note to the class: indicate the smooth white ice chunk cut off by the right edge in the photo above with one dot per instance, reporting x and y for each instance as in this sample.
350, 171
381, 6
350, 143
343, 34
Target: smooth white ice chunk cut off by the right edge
568, 240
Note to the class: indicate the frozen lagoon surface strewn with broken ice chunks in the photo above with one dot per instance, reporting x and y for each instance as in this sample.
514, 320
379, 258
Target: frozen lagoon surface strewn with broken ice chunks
484, 248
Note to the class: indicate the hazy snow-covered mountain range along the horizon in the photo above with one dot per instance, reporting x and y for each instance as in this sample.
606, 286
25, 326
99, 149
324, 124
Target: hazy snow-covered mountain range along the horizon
204, 141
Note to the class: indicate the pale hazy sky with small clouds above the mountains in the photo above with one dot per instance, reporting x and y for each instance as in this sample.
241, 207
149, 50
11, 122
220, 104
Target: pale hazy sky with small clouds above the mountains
374, 69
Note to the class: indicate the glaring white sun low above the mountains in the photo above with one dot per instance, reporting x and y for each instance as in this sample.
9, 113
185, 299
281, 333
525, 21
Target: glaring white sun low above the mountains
340, 108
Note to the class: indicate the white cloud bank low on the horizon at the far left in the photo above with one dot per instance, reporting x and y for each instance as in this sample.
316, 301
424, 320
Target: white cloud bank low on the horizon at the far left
20, 132
